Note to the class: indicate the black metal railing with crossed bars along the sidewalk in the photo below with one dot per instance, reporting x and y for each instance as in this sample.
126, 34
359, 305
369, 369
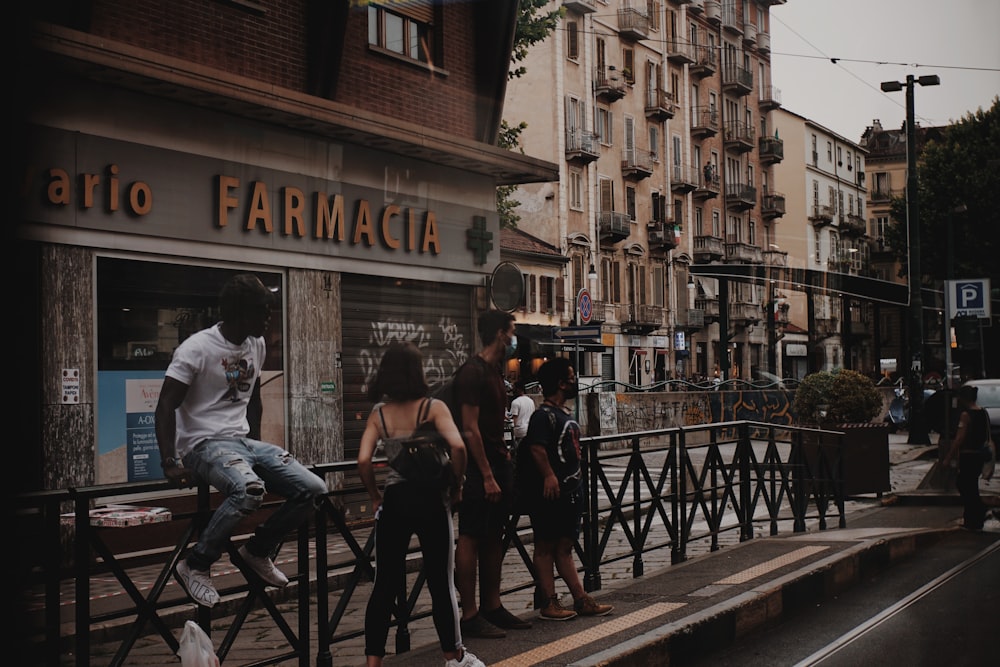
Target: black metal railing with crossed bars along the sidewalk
662, 490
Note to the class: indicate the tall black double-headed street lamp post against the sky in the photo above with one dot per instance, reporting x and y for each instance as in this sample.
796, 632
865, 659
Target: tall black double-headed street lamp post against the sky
918, 421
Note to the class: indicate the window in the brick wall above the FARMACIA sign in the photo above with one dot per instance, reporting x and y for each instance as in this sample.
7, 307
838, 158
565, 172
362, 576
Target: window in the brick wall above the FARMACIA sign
406, 30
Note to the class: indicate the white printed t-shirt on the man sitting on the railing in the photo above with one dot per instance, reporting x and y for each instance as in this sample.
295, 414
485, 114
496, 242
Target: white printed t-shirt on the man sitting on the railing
220, 377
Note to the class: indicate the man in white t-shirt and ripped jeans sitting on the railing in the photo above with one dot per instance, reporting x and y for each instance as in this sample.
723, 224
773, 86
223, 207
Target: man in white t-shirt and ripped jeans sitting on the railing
208, 431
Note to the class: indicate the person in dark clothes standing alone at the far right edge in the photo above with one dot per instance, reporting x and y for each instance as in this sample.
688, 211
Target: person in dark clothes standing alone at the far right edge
969, 447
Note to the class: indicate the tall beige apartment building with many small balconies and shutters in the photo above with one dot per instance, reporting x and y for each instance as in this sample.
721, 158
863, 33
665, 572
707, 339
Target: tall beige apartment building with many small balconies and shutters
658, 115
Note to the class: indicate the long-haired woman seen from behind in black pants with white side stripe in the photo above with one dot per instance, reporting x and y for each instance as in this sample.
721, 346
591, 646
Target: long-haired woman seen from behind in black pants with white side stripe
399, 392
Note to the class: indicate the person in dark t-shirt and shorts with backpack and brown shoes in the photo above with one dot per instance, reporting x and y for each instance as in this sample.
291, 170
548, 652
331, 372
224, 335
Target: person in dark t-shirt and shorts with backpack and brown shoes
549, 487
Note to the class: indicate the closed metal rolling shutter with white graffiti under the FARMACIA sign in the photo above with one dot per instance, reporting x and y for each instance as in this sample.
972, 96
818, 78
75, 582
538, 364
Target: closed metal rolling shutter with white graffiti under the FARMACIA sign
437, 318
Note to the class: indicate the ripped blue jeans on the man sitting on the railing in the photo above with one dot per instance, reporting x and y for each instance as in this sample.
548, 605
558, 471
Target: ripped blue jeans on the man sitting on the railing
243, 470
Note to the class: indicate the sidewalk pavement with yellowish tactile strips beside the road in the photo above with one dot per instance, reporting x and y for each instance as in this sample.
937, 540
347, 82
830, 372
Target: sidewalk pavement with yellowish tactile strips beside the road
672, 610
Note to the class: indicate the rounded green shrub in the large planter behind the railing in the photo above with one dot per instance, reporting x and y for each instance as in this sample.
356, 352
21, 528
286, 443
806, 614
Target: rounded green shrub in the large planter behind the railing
846, 397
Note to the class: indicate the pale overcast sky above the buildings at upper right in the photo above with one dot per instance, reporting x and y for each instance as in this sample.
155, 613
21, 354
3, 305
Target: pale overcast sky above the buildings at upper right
959, 40
